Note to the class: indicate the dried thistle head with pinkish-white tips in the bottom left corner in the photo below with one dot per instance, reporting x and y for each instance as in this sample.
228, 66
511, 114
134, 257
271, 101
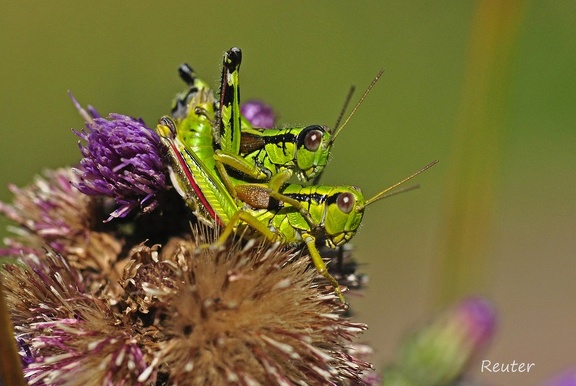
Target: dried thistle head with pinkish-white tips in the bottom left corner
67, 334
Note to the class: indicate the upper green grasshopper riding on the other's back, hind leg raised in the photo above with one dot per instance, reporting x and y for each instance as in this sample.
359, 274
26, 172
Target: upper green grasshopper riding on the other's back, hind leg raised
259, 154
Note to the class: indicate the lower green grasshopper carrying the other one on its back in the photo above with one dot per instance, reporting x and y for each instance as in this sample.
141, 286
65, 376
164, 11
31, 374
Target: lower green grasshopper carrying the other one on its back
302, 215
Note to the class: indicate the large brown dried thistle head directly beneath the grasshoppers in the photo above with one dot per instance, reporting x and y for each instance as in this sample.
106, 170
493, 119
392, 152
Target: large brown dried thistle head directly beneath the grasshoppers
241, 315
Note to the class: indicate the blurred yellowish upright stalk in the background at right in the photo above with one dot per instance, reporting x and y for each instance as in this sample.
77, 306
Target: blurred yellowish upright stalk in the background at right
465, 238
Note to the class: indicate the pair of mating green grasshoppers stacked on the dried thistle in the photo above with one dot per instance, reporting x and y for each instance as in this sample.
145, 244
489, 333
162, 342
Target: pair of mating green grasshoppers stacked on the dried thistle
235, 176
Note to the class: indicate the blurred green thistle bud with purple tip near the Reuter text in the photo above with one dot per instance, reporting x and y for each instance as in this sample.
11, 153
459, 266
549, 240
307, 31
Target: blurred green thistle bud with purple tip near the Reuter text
438, 353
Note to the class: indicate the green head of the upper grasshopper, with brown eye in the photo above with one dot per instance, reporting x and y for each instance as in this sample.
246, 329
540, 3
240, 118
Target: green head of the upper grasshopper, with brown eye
313, 147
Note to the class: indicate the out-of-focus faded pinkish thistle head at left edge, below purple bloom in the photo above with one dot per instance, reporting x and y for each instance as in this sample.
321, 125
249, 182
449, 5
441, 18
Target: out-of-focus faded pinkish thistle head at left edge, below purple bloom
52, 212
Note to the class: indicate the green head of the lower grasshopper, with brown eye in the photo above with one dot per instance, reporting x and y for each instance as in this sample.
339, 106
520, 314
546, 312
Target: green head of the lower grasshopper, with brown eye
344, 215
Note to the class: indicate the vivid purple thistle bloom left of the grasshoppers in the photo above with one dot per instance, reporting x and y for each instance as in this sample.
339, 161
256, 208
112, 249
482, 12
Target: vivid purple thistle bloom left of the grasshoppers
123, 160
